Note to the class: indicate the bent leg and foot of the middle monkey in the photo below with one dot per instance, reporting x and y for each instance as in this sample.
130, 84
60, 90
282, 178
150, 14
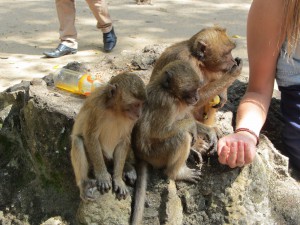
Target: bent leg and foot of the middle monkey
176, 166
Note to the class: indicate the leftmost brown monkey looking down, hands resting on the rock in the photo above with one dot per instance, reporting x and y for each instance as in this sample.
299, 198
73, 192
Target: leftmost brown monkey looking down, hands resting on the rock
101, 133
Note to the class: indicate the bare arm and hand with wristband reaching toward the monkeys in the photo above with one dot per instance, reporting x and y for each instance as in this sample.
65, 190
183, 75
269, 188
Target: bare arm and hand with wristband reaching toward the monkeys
263, 46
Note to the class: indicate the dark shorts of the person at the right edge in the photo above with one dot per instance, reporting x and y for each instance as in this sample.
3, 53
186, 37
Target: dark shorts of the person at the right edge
290, 107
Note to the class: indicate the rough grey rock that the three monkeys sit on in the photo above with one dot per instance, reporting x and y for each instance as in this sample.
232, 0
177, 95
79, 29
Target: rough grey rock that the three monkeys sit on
37, 183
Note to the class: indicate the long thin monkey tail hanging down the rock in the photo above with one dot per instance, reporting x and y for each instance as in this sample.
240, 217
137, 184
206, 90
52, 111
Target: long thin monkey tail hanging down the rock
140, 193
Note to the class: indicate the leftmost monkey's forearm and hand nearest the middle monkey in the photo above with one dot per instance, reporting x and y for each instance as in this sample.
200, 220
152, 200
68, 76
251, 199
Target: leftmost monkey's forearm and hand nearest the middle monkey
120, 156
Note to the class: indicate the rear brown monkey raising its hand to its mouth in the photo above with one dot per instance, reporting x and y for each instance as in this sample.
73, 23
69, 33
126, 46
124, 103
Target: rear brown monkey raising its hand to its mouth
209, 53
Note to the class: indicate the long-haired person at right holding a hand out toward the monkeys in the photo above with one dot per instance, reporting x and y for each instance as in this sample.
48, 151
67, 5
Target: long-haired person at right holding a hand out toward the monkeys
273, 46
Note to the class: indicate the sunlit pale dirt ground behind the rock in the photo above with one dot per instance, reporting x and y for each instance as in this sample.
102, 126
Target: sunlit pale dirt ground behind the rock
28, 28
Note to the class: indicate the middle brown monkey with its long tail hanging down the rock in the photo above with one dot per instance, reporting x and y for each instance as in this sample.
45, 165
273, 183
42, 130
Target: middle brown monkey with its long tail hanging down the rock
163, 135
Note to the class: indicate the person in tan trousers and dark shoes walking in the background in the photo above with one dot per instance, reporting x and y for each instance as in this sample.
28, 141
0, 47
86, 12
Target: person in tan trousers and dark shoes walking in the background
68, 35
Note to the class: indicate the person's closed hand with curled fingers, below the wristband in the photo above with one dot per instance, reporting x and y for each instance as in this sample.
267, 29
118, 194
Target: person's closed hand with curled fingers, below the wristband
237, 149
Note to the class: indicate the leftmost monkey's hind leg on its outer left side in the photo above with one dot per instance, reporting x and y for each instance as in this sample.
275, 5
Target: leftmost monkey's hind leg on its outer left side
81, 168
